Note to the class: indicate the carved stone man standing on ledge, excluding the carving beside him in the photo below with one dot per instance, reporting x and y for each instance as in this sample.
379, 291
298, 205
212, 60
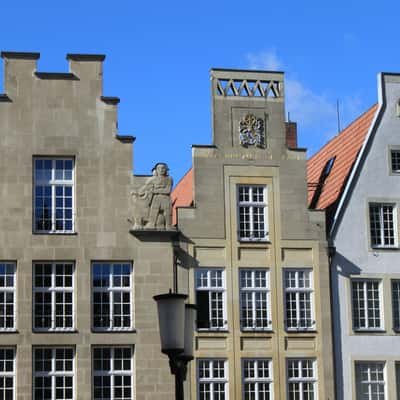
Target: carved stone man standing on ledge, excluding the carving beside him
157, 191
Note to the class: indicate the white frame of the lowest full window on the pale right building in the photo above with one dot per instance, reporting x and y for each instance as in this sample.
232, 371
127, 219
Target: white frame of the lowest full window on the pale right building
370, 382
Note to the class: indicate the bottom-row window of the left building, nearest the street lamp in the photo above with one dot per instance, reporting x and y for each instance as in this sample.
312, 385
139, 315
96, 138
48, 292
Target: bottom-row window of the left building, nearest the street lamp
112, 373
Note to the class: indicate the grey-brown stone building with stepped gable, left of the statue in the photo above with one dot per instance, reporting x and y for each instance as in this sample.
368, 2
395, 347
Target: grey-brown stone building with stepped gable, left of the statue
77, 318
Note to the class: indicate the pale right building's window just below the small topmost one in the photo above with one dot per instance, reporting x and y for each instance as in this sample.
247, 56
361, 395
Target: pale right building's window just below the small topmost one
382, 223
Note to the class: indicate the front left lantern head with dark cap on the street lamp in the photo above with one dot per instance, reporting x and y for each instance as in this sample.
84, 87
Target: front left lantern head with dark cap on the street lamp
171, 318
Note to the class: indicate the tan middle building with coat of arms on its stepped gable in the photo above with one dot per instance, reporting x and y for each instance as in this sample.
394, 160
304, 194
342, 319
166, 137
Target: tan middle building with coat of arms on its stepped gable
255, 257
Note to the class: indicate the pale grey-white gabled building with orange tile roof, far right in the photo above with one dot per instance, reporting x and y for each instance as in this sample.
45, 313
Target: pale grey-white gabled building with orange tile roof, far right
356, 178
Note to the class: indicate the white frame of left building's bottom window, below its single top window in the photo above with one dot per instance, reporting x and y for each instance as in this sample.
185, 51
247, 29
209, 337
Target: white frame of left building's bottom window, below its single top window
53, 374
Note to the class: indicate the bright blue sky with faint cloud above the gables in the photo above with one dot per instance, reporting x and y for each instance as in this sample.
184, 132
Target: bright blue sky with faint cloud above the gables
159, 54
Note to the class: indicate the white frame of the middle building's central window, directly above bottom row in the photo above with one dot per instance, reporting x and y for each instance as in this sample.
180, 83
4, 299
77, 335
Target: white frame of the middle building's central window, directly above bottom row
252, 291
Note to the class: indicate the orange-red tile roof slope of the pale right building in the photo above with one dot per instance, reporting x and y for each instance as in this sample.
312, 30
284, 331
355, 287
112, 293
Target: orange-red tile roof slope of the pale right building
345, 147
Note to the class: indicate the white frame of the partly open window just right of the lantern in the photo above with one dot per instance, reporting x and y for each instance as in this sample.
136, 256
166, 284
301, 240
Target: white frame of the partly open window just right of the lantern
210, 288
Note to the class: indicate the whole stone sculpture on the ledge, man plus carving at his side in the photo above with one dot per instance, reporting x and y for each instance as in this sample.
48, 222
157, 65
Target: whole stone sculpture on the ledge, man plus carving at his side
151, 204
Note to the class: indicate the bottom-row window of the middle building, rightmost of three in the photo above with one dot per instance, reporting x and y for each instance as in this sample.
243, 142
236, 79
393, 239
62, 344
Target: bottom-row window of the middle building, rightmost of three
302, 379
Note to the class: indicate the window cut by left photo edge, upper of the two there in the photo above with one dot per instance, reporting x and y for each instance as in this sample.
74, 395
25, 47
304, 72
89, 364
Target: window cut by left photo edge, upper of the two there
7, 296
